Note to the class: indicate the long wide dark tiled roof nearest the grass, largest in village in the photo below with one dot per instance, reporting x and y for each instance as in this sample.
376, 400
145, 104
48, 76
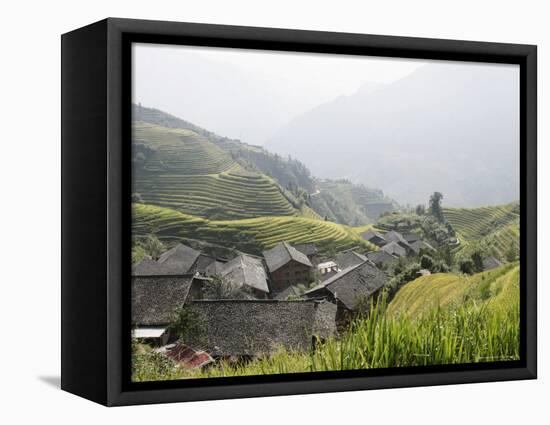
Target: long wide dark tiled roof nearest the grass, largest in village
260, 327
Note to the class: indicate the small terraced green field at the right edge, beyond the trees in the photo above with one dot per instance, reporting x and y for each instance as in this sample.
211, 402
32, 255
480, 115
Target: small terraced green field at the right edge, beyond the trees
496, 226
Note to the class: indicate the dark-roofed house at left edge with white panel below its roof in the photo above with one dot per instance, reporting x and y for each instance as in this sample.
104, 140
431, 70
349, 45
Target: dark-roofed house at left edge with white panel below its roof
154, 302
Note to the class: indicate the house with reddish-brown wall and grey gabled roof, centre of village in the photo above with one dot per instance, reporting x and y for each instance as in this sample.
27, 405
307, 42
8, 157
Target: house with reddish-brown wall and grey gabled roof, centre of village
287, 266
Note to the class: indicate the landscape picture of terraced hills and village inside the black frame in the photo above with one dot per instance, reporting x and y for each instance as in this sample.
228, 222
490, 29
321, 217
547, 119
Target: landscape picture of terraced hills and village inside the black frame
298, 212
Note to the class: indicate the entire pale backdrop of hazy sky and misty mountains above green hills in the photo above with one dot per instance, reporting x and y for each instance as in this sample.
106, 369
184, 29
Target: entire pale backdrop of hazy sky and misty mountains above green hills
432, 125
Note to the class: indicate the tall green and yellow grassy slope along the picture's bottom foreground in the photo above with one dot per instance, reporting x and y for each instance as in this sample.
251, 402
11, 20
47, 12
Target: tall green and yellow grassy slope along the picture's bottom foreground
483, 327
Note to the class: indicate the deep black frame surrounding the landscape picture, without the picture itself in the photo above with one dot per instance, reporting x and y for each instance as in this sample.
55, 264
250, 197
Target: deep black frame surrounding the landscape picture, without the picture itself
96, 87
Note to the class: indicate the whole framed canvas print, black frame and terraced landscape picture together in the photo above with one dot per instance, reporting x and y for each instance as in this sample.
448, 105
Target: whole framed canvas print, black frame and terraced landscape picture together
252, 212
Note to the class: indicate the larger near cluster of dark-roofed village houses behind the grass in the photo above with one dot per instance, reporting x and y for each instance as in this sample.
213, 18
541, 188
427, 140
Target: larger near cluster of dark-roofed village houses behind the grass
281, 306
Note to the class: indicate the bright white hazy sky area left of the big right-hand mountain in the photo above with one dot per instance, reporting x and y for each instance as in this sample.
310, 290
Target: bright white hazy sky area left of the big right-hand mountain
249, 94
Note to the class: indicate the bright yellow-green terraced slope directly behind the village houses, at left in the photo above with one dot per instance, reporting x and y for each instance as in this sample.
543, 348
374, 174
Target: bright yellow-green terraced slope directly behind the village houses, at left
250, 235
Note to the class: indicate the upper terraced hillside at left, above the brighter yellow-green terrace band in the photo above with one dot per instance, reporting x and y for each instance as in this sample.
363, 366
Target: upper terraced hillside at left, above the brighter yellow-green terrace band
186, 172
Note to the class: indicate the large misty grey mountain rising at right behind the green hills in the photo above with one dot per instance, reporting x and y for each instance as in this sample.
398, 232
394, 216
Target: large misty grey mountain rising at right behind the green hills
448, 127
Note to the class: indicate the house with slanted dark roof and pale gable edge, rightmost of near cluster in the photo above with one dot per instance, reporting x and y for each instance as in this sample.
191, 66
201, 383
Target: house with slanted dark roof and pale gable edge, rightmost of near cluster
350, 288
